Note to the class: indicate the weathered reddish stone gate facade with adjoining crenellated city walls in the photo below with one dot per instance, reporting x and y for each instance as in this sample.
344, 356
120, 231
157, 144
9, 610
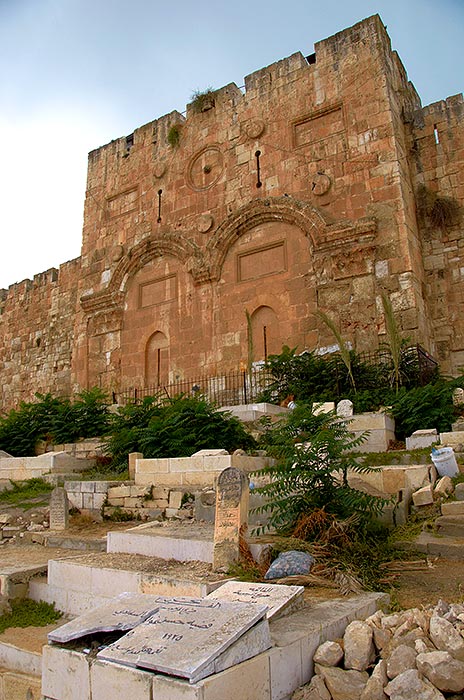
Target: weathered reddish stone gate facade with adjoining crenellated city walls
319, 185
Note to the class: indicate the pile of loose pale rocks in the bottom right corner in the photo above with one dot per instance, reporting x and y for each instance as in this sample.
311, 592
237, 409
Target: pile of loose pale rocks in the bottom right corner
400, 656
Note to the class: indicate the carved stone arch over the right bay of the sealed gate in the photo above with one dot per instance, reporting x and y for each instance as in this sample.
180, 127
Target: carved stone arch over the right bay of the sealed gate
277, 209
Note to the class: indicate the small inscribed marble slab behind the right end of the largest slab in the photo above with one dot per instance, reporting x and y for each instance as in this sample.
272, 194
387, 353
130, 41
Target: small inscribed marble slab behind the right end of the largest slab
279, 599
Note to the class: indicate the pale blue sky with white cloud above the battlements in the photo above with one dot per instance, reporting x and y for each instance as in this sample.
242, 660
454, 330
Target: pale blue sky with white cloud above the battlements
75, 74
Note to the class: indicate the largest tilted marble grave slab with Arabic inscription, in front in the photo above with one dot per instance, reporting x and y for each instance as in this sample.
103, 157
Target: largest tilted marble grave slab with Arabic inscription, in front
185, 636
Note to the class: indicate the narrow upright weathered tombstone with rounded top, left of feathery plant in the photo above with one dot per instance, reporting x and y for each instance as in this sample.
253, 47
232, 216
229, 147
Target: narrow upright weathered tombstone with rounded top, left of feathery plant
231, 517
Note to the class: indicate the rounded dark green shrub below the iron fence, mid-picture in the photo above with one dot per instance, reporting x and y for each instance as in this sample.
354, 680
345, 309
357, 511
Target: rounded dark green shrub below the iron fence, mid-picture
177, 427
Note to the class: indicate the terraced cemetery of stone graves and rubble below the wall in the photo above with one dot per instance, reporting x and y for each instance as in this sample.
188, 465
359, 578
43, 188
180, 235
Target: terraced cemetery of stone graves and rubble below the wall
154, 608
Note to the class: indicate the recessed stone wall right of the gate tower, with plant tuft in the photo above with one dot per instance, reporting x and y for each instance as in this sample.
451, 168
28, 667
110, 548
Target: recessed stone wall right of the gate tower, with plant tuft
438, 161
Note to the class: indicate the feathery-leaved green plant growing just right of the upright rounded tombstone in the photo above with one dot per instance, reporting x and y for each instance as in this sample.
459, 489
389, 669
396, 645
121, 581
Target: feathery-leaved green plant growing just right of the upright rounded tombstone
313, 455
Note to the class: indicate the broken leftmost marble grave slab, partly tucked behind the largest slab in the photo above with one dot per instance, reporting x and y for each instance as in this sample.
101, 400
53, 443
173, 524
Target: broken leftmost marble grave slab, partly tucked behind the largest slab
121, 614
